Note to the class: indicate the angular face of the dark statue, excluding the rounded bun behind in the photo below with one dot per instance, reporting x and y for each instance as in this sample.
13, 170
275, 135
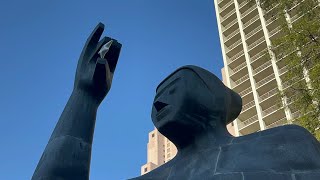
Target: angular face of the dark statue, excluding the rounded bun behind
182, 101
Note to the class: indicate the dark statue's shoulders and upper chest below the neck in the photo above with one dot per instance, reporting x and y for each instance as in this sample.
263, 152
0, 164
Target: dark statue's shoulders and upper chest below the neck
280, 153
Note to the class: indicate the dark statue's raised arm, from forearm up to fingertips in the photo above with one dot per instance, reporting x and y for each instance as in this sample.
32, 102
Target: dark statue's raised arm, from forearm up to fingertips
68, 152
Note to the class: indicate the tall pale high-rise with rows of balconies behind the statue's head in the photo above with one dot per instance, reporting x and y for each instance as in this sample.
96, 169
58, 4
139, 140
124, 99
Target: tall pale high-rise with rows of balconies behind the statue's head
246, 32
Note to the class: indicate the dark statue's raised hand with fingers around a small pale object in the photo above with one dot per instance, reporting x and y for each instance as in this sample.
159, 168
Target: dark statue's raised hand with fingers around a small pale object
94, 74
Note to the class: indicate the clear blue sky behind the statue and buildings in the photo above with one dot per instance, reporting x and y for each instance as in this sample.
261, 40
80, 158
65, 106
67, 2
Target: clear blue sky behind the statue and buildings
40, 43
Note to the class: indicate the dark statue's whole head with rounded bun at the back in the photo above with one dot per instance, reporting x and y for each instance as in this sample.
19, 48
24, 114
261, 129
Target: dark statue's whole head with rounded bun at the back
193, 100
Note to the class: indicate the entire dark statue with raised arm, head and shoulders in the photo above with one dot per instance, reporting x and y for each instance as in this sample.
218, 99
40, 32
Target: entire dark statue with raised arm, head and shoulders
191, 108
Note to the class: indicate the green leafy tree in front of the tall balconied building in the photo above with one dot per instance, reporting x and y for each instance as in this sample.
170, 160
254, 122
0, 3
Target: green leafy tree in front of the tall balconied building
299, 48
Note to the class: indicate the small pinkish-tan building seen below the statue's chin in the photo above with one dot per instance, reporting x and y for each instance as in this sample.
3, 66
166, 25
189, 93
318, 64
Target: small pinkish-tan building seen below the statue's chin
159, 151
